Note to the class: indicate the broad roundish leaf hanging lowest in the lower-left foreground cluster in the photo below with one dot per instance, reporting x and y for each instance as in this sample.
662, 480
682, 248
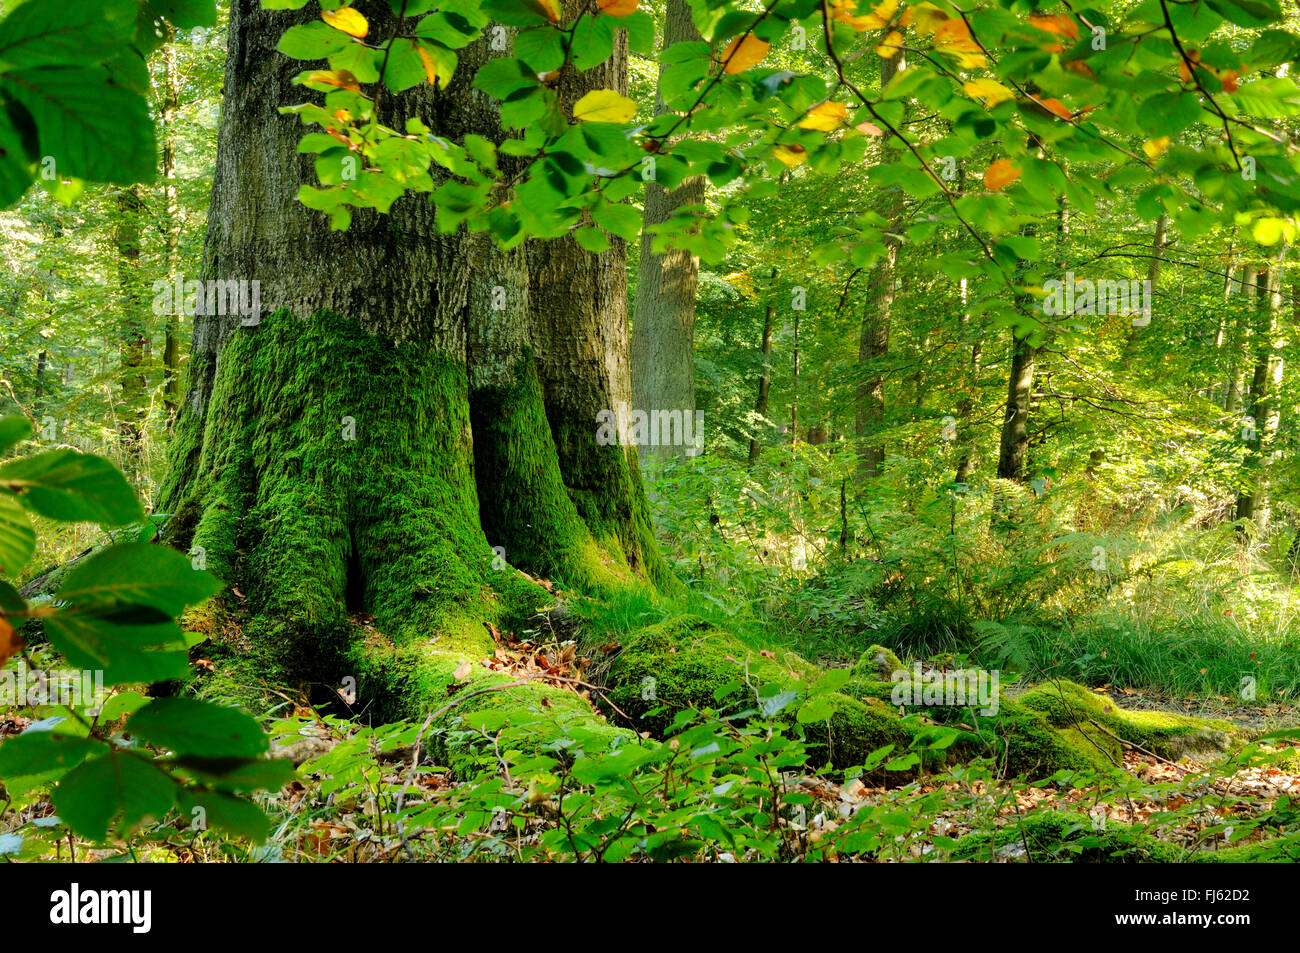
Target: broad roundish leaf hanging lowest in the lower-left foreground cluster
116, 786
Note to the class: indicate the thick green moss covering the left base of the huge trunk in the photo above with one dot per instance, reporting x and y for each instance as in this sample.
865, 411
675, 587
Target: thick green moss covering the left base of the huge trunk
335, 476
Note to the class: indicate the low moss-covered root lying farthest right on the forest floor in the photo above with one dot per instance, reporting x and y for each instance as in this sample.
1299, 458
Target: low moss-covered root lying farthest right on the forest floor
1065, 704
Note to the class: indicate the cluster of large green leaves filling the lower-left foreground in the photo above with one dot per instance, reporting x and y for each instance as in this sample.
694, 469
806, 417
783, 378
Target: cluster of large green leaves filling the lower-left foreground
114, 616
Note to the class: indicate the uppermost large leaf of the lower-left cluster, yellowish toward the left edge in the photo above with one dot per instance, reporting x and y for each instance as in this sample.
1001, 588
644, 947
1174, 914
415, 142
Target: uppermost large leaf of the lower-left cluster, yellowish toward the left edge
72, 487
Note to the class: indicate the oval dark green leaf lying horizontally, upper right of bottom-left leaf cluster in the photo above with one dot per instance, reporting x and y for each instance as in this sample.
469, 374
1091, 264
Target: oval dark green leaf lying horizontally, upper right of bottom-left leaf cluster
202, 730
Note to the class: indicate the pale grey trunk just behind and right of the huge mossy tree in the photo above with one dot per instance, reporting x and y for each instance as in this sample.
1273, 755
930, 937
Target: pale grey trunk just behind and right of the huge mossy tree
664, 324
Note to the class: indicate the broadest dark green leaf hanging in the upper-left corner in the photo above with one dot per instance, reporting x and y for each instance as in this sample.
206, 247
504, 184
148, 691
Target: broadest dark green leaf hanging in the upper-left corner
93, 128
